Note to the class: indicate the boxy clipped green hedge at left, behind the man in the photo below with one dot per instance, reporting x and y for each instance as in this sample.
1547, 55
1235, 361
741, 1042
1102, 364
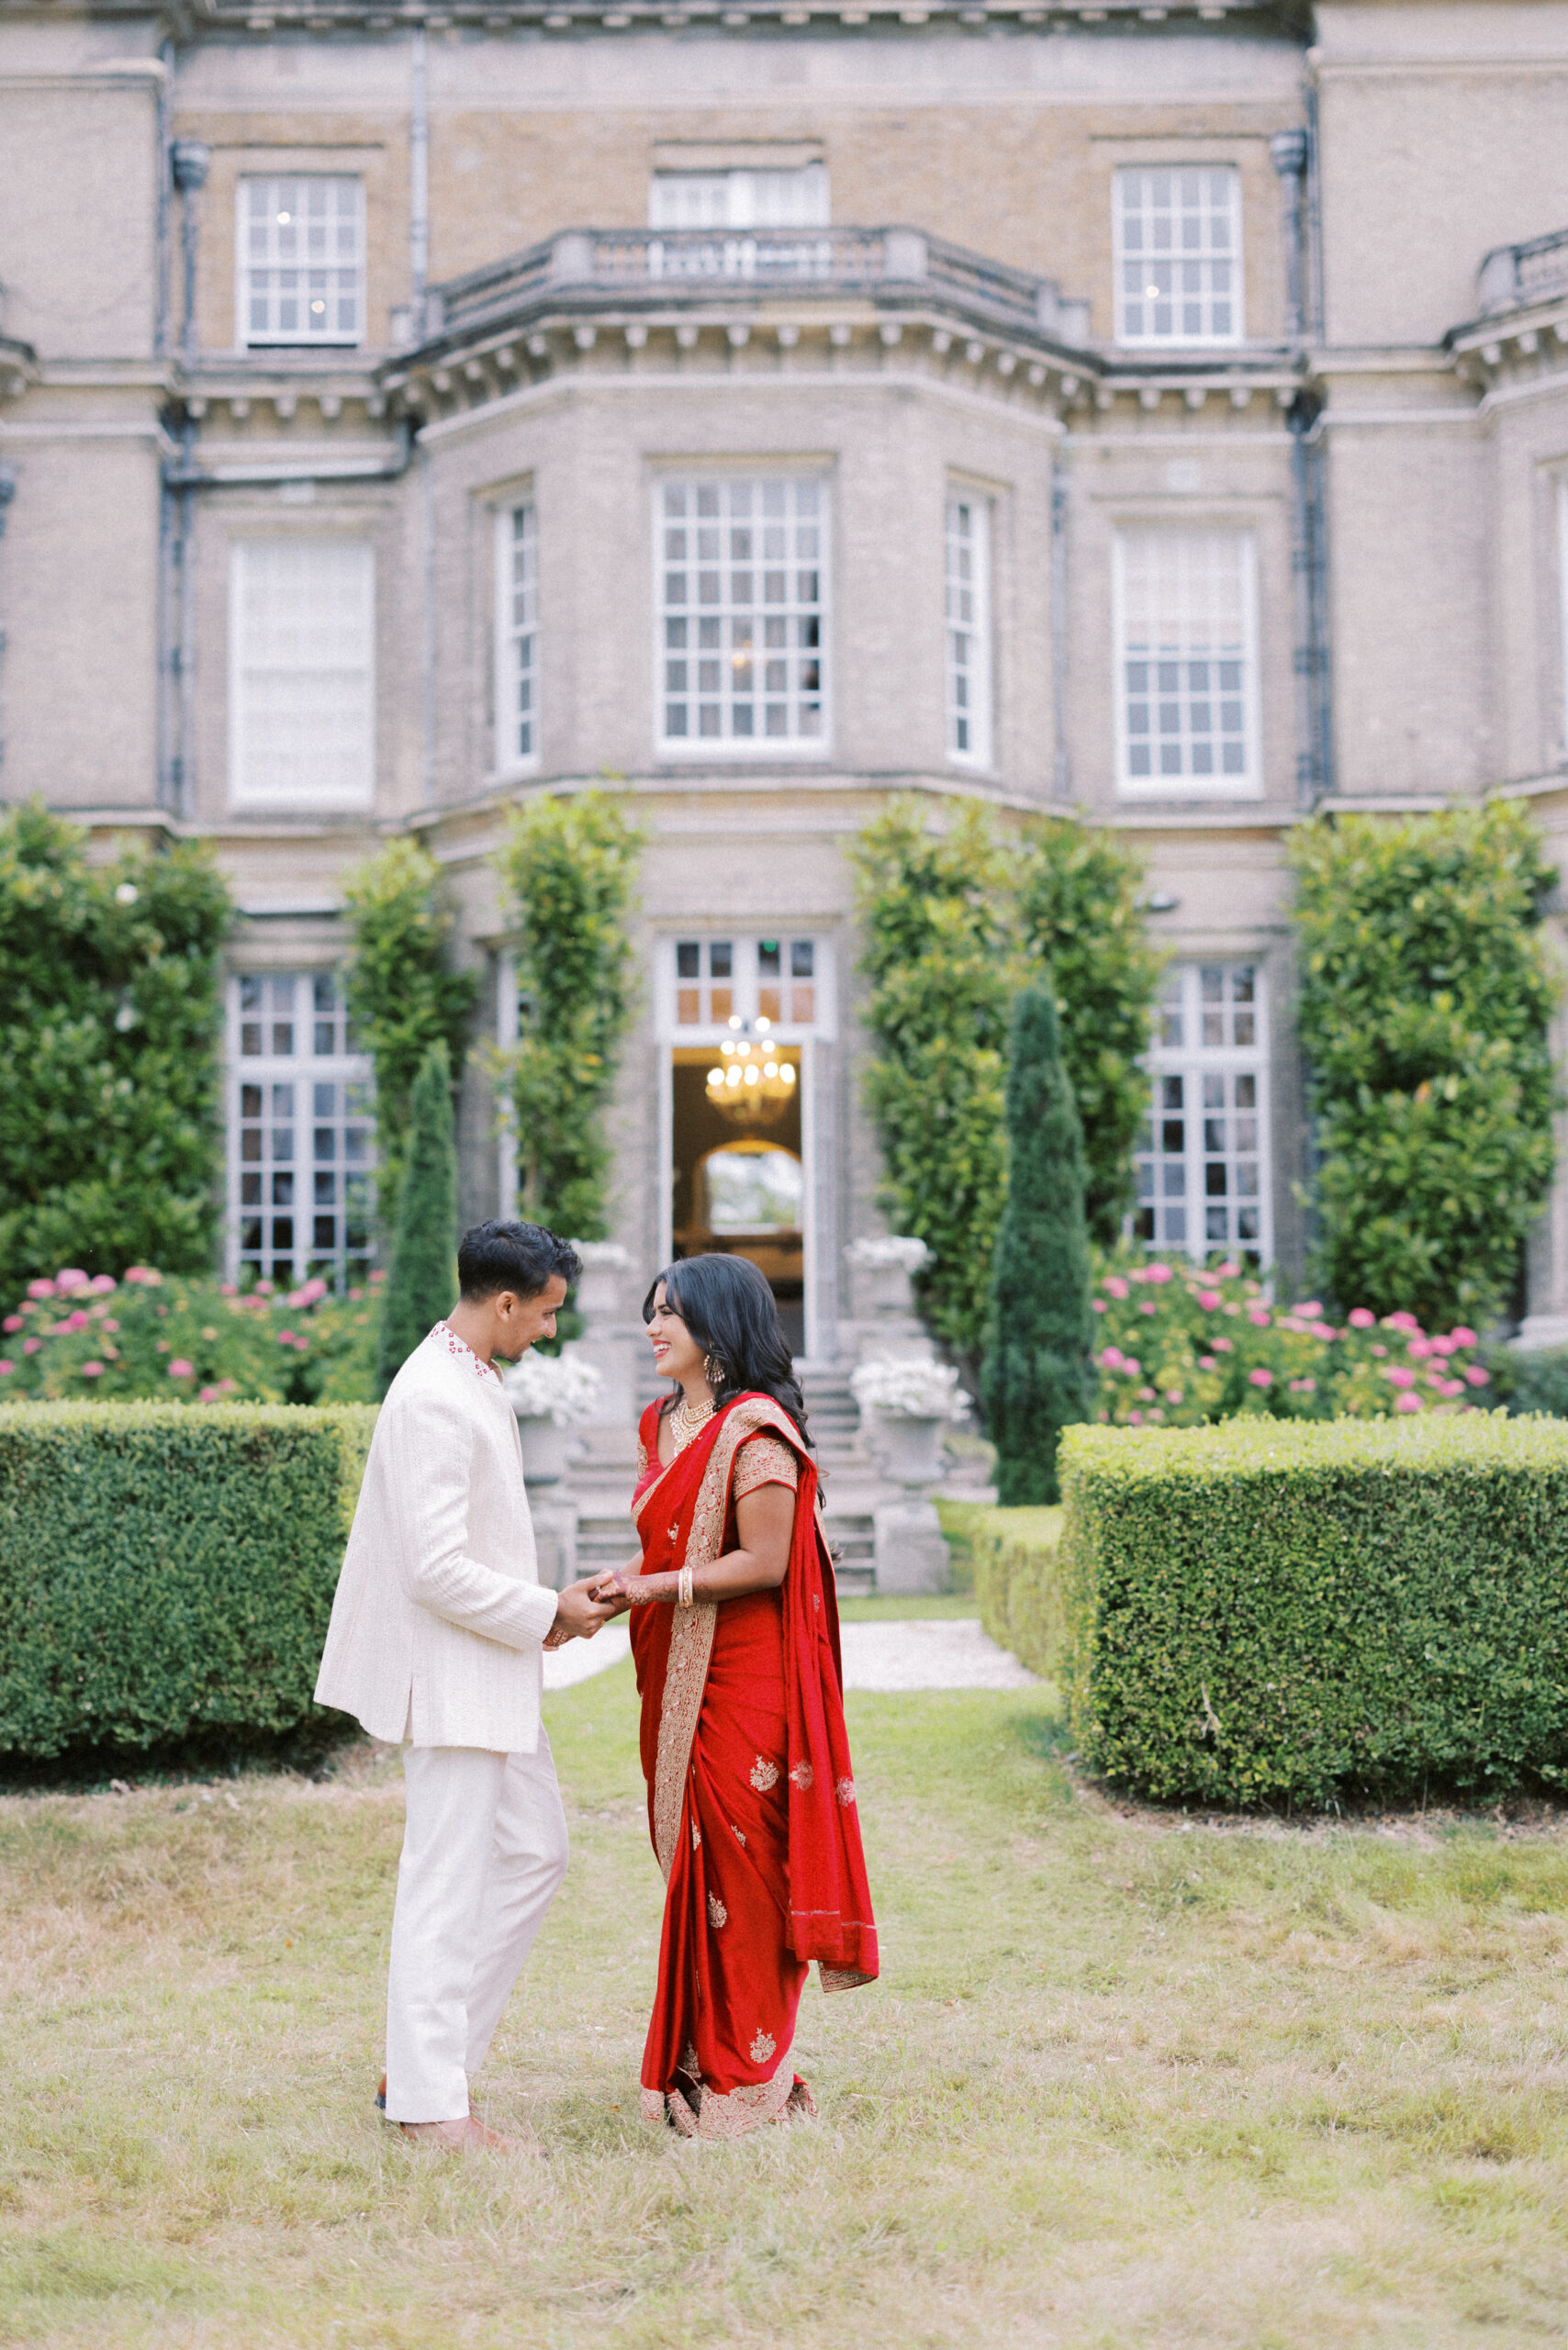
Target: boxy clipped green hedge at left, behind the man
168, 1571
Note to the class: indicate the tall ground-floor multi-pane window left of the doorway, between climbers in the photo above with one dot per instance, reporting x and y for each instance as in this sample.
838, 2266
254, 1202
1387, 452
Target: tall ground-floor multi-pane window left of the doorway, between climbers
300, 1132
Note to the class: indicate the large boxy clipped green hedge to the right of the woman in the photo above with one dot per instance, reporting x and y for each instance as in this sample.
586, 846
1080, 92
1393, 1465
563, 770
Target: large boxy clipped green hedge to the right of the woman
1285, 1613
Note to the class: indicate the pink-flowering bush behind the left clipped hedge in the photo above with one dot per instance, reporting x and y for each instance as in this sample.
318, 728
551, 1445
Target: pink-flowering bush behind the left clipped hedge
159, 1336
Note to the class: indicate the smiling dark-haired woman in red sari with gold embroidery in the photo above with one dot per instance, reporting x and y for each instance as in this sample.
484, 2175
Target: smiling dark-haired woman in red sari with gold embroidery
744, 1750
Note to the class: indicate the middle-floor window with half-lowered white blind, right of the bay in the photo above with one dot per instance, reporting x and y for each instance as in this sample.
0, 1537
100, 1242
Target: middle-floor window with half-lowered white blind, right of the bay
1186, 647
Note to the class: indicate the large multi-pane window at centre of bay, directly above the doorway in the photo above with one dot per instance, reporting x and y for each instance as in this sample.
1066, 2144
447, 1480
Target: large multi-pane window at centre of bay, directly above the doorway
742, 596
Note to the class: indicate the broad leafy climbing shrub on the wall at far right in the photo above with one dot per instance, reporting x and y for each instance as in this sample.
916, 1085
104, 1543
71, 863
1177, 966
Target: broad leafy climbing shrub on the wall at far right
1423, 1016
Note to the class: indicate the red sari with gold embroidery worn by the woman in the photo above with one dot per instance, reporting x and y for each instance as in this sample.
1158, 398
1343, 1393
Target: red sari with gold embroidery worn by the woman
751, 1787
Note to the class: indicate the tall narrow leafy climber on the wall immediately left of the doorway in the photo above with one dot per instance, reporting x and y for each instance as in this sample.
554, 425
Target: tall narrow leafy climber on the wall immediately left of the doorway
570, 871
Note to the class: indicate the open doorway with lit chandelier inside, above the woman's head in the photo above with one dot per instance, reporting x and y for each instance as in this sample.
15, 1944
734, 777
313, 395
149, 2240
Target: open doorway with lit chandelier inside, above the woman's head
739, 1181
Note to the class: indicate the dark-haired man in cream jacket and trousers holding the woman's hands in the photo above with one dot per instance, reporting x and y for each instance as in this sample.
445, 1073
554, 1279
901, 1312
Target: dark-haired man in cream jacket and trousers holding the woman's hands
436, 1641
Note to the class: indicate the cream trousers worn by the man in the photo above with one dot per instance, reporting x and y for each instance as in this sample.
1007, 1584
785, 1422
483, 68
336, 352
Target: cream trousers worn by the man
483, 1855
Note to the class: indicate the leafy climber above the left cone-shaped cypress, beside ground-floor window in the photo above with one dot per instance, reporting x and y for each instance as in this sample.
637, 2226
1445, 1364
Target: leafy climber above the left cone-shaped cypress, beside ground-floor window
403, 993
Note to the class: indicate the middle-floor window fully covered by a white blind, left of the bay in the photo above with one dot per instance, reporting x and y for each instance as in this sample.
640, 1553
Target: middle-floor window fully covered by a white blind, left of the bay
302, 622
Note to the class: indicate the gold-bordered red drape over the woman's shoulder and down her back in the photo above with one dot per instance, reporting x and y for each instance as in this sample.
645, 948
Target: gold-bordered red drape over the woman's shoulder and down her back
681, 1517
